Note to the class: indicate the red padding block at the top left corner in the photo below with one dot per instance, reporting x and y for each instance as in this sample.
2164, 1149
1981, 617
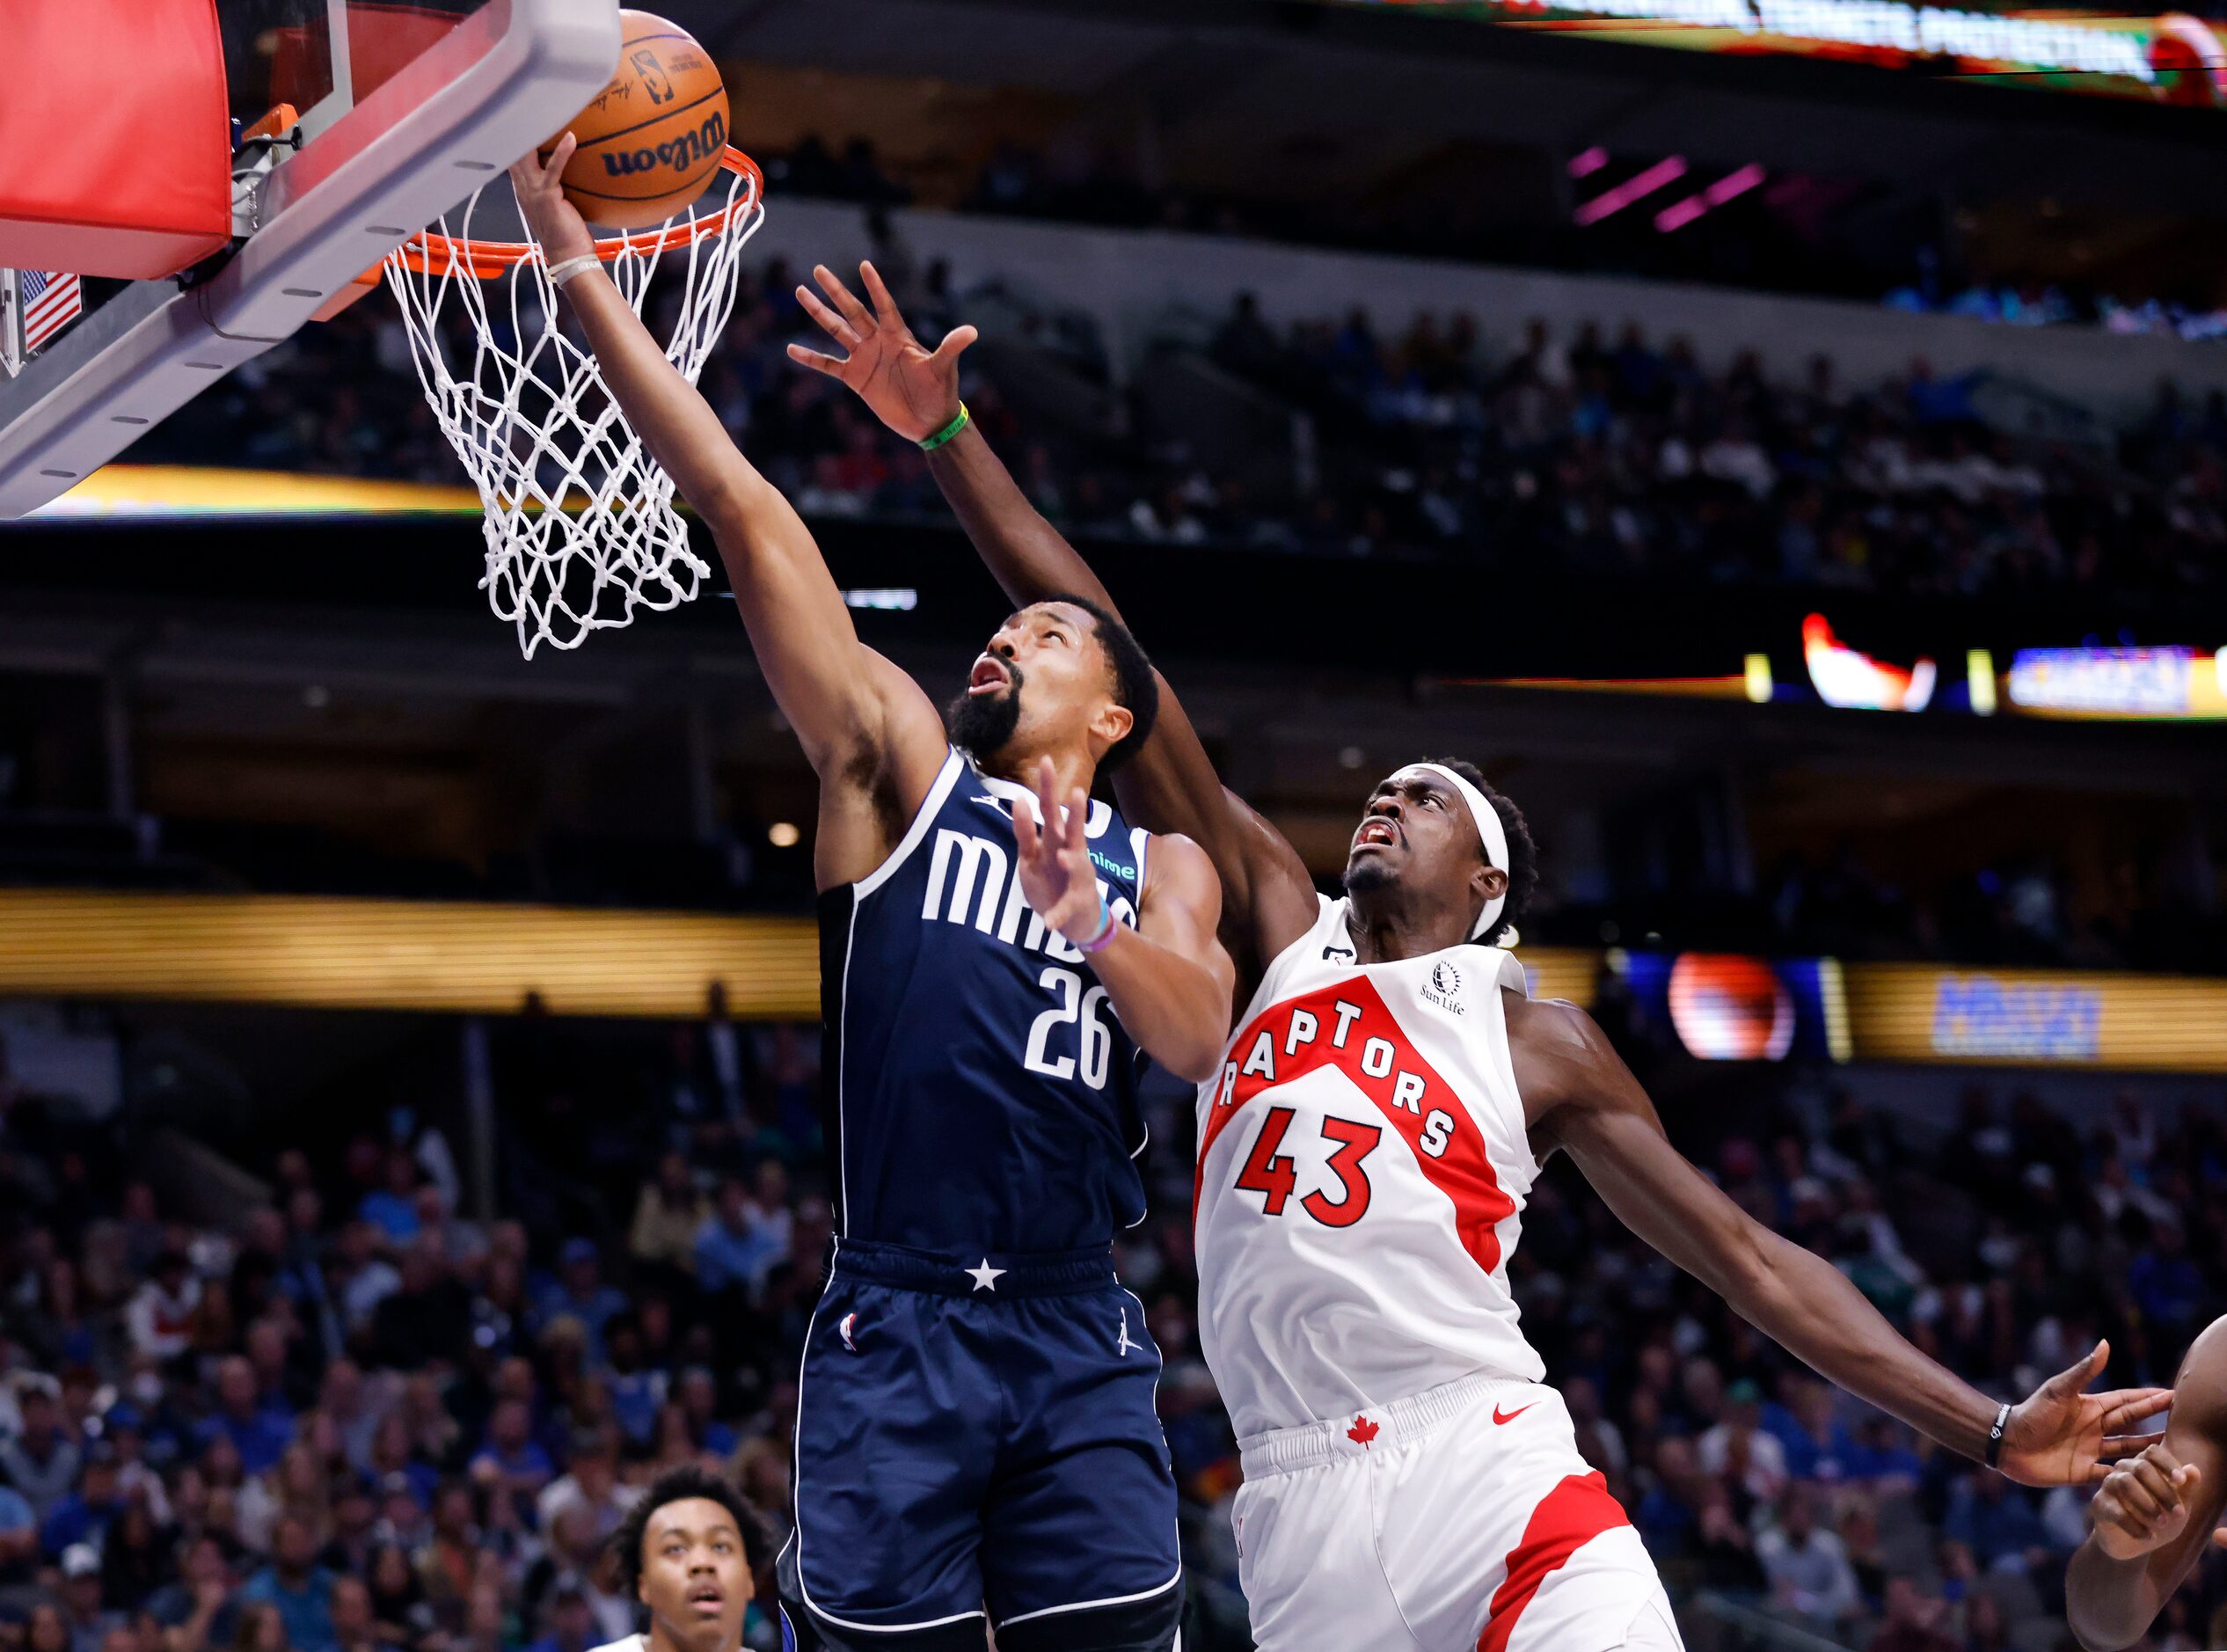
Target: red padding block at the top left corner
119, 141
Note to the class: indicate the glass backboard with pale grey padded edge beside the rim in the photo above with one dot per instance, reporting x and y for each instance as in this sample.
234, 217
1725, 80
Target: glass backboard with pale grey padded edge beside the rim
406, 108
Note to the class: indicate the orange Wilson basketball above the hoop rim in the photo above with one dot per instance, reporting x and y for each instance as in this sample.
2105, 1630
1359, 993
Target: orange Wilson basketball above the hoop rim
654, 137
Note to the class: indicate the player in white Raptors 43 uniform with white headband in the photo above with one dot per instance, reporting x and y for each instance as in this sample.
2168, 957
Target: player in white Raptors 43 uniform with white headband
1364, 1161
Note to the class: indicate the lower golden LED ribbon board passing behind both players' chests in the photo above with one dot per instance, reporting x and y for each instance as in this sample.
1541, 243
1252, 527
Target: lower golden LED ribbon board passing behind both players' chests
487, 961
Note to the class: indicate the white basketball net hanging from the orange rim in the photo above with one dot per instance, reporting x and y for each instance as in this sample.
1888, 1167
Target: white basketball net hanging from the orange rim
580, 520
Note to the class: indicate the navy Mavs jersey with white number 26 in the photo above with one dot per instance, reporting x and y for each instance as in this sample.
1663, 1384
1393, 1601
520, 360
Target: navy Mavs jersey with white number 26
979, 1088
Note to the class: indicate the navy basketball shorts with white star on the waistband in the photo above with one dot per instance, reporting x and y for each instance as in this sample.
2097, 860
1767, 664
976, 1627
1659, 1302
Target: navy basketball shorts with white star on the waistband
979, 1437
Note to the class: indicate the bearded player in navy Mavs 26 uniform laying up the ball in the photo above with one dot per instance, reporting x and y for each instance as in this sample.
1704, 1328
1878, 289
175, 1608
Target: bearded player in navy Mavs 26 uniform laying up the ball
977, 1426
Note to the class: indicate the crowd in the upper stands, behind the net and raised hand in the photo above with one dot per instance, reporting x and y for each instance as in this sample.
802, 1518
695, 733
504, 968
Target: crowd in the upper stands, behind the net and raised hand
1591, 455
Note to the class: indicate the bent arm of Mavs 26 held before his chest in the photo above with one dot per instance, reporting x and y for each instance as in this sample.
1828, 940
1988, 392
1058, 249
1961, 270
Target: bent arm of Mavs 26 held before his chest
1168, 979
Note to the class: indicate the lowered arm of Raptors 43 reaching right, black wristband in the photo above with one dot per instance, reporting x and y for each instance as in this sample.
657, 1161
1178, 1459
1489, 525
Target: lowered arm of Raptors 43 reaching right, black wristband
1585, 1099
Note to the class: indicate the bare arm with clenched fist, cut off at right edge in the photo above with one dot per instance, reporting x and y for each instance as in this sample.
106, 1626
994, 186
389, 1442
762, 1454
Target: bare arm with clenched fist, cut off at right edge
2157, 1513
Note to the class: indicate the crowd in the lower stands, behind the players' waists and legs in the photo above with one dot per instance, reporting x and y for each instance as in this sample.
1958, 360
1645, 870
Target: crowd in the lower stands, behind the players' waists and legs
346, 1417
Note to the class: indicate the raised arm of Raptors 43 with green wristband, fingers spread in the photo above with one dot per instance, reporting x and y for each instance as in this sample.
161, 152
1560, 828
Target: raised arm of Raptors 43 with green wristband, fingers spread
1268, 898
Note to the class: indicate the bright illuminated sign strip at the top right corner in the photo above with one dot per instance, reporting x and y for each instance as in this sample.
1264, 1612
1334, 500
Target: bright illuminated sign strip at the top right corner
2166, 57
